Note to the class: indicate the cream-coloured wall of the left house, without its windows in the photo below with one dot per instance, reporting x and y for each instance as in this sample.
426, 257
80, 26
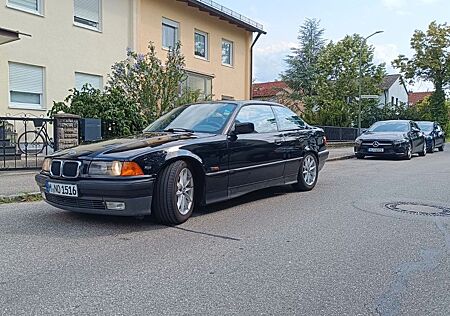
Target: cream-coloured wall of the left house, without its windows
63, 48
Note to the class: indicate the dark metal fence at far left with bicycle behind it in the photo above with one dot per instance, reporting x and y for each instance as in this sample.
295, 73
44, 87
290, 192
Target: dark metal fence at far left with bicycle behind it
25, 141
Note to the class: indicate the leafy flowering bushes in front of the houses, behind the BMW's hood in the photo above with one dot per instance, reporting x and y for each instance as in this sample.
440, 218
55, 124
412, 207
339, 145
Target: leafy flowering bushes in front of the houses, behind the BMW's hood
139, 89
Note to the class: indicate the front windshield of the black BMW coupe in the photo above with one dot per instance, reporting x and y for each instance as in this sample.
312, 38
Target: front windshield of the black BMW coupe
201, 118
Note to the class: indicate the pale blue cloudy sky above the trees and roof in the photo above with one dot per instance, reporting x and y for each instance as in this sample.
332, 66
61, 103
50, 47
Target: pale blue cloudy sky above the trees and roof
282, 19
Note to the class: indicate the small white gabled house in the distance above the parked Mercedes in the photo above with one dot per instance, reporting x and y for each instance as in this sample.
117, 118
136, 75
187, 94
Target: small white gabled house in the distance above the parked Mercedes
394, 91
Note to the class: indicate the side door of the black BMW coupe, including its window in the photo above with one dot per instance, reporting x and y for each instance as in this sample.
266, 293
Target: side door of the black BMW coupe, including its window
255, 159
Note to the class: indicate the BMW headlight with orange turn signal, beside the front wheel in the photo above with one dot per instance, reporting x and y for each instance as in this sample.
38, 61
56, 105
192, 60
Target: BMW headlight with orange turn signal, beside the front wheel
115, 169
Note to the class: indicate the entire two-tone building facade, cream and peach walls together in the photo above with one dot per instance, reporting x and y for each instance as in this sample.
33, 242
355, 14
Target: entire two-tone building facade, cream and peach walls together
63, 48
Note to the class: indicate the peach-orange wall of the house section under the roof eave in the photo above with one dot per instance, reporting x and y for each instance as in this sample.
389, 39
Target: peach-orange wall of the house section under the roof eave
228, 81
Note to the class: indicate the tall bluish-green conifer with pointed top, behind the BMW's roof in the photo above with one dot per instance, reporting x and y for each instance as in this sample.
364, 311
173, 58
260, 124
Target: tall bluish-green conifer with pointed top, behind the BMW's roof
301, 73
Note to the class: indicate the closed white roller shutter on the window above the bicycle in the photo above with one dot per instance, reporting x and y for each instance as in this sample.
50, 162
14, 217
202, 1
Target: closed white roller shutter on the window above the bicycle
26, 78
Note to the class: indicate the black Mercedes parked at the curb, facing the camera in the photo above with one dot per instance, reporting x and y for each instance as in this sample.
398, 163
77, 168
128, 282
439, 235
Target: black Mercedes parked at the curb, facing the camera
398, 138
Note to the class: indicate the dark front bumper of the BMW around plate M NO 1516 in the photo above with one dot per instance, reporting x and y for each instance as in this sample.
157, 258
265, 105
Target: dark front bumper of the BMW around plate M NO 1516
93, 195
